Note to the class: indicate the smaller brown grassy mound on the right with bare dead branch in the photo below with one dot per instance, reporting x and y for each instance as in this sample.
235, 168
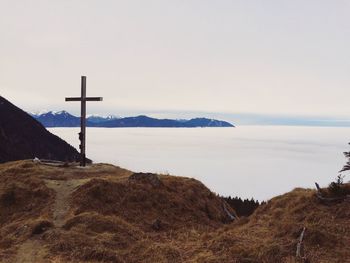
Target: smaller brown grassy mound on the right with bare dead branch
271, 233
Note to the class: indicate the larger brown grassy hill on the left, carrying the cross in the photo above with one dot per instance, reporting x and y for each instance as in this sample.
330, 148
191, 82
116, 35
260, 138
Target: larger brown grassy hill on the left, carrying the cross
102, 213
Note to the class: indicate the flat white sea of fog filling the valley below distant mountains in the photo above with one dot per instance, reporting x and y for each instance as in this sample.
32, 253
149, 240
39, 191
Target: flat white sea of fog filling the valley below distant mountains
247, 161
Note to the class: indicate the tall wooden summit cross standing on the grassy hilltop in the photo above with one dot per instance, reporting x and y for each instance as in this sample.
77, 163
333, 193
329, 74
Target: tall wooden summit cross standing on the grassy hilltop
82, 135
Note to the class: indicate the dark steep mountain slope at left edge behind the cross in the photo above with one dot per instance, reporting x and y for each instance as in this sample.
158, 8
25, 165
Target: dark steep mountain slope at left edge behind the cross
22, 137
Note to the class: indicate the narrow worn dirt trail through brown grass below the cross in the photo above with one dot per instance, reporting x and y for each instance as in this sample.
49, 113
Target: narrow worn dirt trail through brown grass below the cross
33, 250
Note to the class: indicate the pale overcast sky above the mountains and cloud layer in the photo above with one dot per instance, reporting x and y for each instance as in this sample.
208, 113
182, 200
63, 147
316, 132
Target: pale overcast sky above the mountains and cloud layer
265, 57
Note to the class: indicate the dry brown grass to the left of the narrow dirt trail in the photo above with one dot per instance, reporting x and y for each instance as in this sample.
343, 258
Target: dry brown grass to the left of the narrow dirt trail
25, 203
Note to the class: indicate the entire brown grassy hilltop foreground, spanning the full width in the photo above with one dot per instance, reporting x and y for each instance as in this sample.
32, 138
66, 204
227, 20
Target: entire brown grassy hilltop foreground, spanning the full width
108, 214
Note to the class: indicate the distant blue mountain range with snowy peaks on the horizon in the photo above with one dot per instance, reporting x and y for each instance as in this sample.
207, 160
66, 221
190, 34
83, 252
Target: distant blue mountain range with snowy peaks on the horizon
65, 119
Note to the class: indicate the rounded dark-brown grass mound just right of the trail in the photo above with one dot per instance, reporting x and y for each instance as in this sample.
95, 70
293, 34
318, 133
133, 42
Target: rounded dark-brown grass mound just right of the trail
176, 205
